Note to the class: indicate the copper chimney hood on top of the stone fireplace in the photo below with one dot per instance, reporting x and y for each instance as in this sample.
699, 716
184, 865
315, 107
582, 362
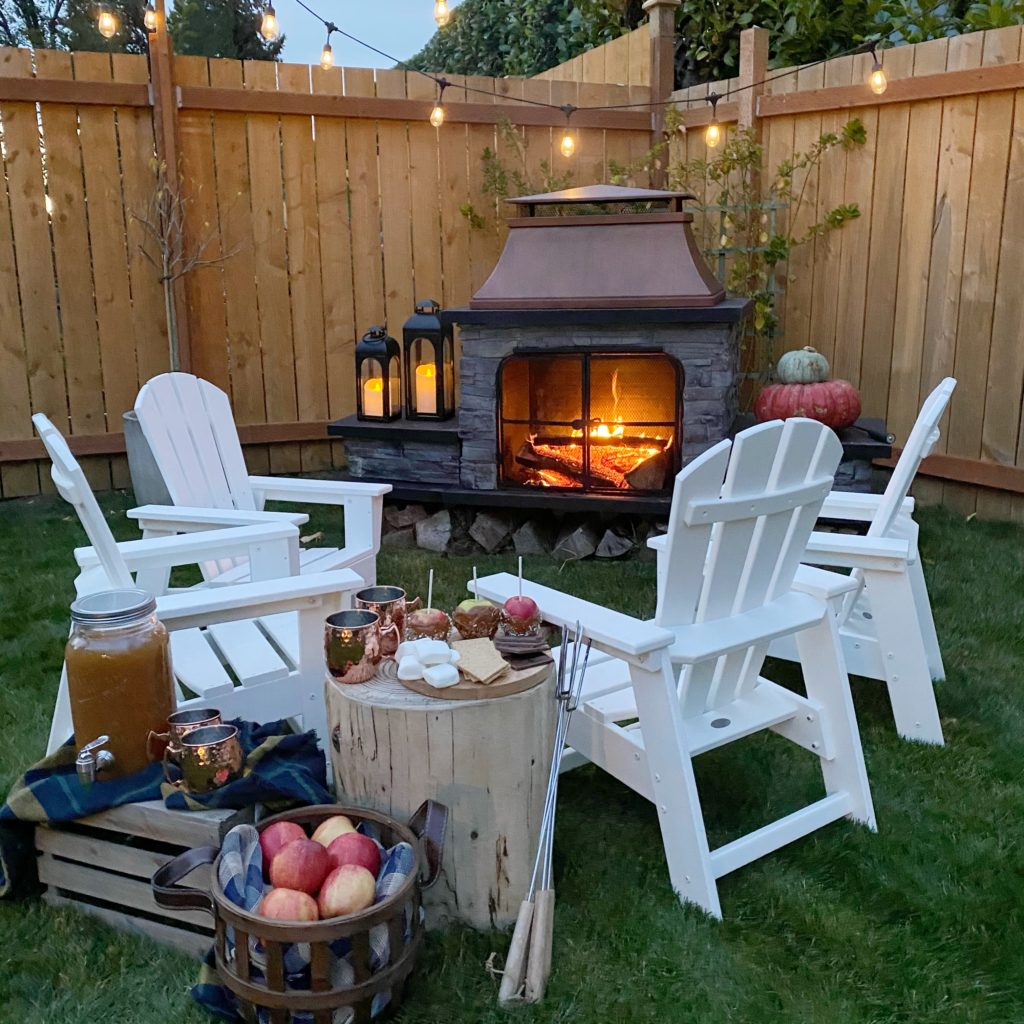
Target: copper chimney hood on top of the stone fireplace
601, 247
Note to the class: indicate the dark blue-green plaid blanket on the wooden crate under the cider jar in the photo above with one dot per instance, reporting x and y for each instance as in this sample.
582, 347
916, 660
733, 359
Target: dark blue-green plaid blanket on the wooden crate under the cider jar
282, 769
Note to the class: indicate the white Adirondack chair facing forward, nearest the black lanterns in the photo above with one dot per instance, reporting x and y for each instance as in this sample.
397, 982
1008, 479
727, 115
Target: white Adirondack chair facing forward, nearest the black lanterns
189, 426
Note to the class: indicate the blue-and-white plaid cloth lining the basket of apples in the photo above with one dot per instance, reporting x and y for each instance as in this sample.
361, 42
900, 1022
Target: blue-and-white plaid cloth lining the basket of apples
241, 877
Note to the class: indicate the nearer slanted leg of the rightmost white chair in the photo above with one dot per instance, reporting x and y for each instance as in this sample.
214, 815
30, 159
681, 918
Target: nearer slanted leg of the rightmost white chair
905, 657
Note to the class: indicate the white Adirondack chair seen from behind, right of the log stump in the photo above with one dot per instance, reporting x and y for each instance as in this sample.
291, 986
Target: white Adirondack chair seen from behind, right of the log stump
738, 530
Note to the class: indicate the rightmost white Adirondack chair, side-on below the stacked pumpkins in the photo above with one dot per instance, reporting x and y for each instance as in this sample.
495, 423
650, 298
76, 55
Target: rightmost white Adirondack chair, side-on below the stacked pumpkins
886, 624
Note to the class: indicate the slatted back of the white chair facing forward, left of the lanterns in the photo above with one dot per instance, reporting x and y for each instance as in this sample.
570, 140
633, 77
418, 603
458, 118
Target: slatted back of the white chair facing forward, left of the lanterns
189, 425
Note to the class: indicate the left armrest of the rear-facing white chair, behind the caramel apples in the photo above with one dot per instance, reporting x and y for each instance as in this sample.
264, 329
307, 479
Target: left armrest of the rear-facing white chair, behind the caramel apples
621, 635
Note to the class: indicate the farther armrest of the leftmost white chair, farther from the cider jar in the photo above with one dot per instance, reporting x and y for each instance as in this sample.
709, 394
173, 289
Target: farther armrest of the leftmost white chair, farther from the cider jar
271, 541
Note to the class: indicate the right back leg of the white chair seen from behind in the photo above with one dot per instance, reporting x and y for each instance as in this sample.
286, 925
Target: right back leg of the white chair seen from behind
827, 682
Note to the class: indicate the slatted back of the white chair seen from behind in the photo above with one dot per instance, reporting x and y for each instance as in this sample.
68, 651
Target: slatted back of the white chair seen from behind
745, 517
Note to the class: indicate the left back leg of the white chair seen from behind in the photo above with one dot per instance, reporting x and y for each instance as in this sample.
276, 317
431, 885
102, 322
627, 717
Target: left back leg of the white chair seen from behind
675, 789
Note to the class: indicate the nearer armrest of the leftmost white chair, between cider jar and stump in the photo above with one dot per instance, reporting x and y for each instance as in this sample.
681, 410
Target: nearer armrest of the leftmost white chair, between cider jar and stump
248, 601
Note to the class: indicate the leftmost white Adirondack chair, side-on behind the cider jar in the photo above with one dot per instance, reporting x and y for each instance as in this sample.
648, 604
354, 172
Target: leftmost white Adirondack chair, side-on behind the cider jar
255, 650
